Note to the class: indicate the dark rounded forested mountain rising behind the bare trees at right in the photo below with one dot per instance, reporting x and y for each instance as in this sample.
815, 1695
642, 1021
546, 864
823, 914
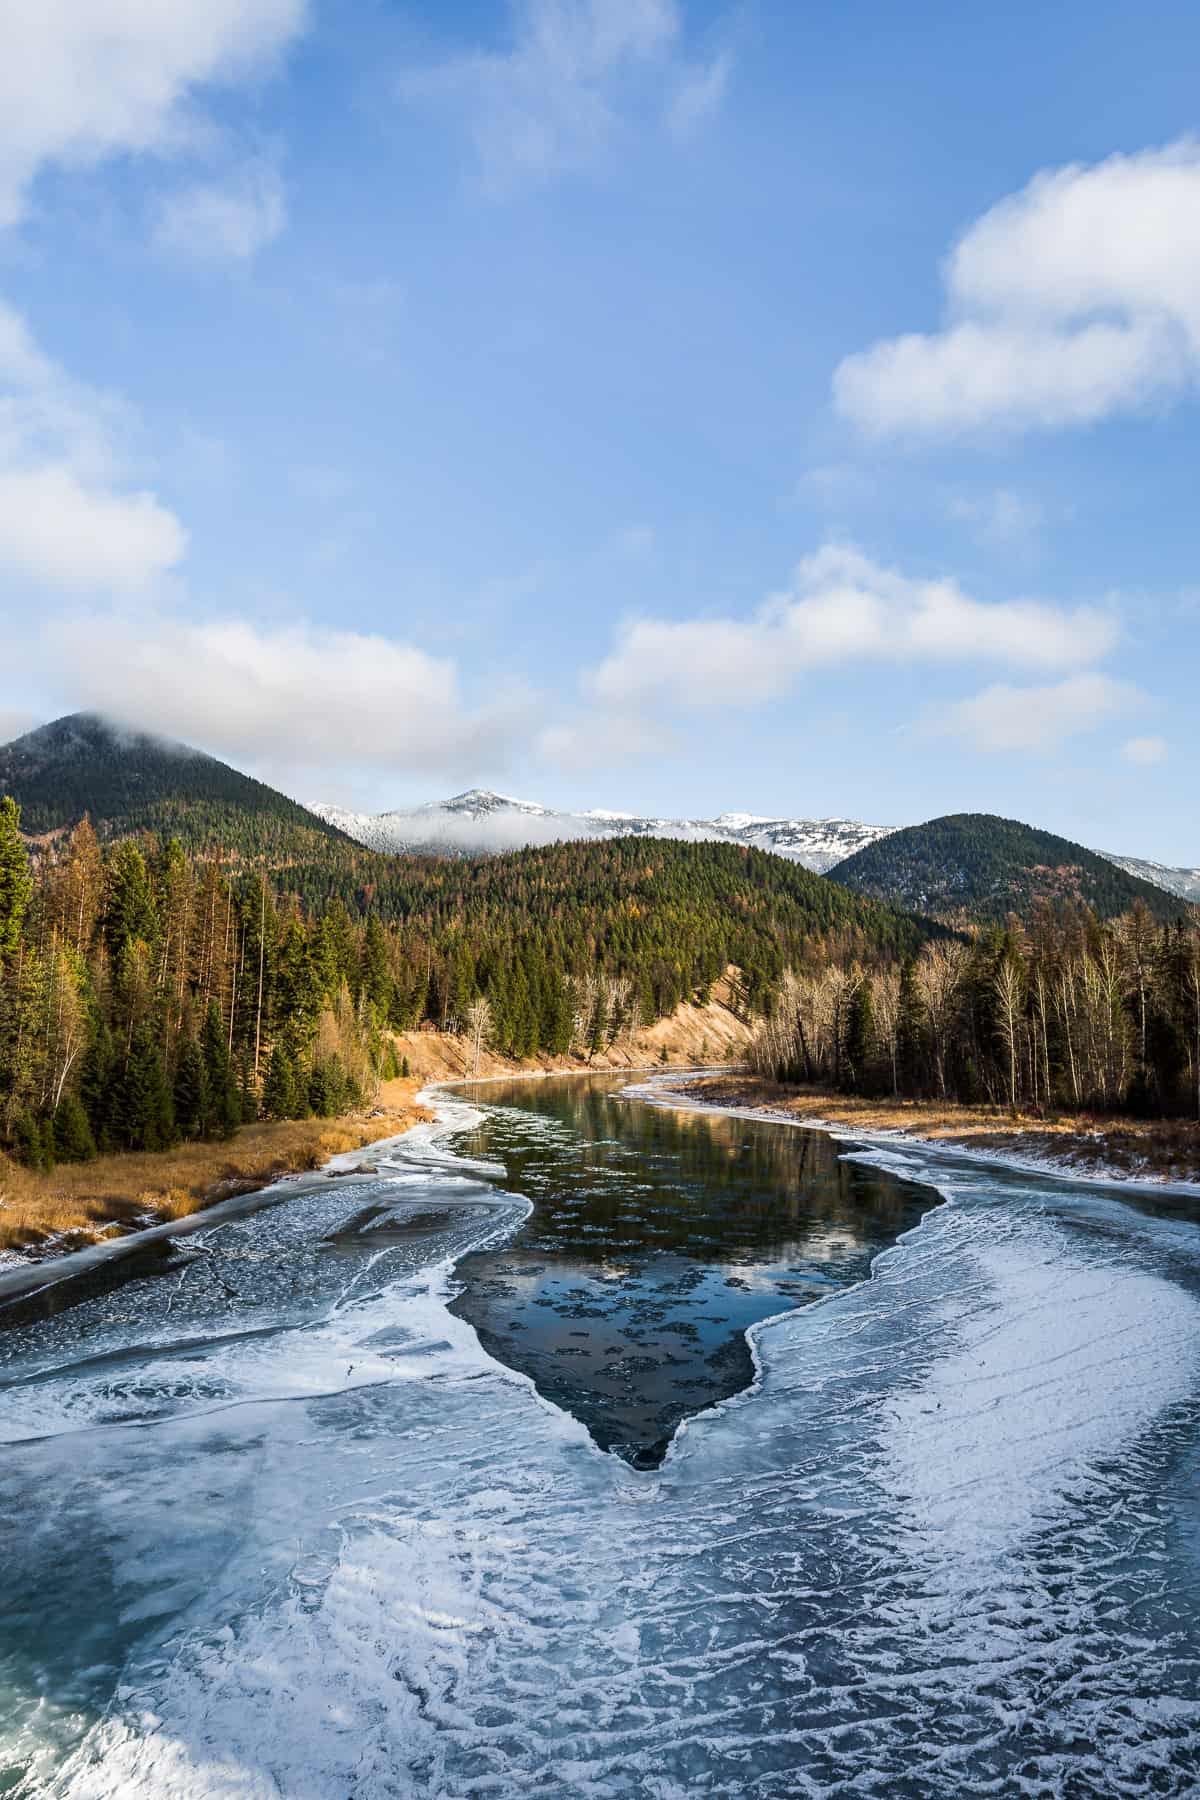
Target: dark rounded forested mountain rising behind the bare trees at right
980, 867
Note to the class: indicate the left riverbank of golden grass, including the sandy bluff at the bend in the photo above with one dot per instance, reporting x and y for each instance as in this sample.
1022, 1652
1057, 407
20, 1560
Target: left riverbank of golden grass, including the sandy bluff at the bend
84, 1203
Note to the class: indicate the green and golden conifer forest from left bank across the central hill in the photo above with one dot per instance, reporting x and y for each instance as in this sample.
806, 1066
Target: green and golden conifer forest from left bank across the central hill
150, 996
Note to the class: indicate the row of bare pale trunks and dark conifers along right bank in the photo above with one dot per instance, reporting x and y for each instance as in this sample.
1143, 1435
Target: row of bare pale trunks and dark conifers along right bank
1071, 1012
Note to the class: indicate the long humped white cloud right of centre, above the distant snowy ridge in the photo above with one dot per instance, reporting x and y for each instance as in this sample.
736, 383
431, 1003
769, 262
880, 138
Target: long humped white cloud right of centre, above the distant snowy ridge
841, 607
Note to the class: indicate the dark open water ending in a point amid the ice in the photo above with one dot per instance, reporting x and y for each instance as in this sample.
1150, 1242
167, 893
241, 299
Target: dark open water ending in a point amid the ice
658, 1237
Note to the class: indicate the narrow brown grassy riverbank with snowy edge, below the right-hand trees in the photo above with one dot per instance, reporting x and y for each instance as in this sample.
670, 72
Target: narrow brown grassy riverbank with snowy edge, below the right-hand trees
1084, 1146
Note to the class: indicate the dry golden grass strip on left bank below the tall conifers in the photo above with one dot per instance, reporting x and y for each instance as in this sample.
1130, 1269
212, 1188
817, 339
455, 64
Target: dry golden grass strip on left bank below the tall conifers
84, 1201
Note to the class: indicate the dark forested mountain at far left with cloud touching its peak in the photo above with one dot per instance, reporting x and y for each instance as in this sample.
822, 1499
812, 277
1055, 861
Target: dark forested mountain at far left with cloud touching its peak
130, 782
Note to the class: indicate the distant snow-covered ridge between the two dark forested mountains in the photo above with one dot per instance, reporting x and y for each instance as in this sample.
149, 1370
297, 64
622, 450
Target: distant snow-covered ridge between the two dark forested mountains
485, 823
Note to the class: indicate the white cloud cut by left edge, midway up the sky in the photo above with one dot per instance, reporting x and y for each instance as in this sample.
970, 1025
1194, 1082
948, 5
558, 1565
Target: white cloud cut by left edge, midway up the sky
67, 514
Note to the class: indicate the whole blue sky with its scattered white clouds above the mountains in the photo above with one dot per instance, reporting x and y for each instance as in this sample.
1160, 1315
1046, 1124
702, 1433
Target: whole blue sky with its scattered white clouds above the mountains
620, 402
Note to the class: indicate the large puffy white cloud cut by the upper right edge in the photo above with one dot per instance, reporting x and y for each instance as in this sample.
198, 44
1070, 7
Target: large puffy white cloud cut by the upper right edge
1070, 301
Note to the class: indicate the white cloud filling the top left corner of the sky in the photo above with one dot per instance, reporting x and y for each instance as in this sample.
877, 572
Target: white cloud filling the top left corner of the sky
82, 80
